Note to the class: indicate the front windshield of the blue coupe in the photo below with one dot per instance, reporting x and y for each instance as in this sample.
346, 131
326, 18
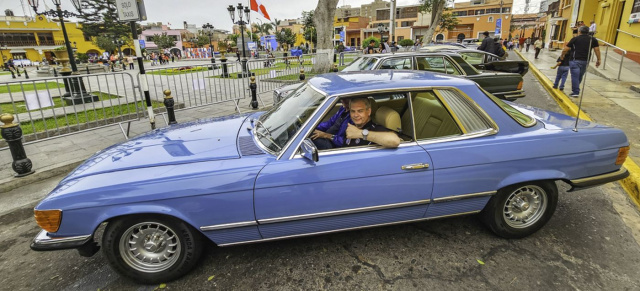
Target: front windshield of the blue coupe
276, 127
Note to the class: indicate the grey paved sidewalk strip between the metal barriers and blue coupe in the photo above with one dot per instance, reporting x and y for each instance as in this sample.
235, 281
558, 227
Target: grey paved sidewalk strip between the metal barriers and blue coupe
60, 155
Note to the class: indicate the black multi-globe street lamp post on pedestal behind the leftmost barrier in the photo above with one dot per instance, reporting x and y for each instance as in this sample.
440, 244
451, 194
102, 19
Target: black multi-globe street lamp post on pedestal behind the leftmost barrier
76, 92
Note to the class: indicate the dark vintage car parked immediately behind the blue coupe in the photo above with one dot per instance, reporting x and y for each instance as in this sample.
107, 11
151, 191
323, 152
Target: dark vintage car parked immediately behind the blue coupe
501, 84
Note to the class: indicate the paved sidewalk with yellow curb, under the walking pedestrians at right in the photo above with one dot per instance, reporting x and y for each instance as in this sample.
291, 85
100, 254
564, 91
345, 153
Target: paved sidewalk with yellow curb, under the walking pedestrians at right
600, 98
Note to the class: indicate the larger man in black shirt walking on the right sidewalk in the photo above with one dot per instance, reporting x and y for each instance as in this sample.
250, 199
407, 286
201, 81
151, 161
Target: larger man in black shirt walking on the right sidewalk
578, 50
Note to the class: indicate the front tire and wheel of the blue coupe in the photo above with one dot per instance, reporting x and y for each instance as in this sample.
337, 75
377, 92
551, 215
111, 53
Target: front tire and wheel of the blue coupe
151, 249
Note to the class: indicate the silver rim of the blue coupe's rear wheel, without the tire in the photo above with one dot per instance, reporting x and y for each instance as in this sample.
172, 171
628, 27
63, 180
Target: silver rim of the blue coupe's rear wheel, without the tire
525, 206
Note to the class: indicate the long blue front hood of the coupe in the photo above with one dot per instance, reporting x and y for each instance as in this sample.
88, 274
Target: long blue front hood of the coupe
202, 140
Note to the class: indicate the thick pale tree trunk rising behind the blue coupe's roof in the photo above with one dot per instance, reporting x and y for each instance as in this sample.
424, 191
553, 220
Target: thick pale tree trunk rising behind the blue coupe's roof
323, 20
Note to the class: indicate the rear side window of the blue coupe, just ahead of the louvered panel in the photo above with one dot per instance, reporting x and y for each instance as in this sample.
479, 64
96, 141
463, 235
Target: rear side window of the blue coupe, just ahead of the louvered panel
431, 118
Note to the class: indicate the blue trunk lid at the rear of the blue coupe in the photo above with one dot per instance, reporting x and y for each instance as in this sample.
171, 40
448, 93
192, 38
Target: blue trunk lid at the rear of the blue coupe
553, 120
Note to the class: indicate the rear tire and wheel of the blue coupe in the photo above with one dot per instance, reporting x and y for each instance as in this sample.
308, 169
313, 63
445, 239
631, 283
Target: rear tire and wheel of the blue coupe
520, 210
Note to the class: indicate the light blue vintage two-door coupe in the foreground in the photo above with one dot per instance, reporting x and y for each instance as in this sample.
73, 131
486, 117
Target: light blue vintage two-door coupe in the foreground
258, 177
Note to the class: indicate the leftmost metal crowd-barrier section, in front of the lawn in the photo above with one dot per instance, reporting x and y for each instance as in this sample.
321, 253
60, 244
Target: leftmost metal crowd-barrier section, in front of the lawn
53, 107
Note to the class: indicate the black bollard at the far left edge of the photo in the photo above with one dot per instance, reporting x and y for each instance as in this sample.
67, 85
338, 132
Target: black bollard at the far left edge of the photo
12, 133
